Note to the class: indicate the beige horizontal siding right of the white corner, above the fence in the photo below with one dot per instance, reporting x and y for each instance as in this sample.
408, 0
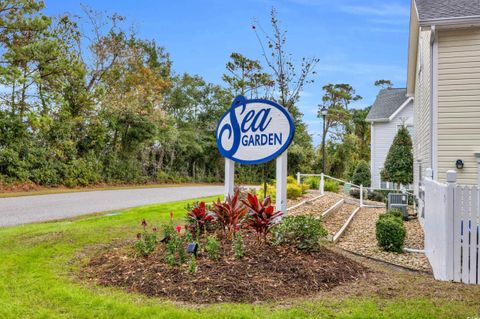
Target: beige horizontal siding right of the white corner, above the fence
458, 102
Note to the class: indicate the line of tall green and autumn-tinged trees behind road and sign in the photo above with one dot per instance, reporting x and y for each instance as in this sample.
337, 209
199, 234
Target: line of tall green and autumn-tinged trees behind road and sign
85, 100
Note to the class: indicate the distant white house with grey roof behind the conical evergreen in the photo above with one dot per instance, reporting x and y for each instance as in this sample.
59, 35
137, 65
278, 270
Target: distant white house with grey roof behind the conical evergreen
392, 109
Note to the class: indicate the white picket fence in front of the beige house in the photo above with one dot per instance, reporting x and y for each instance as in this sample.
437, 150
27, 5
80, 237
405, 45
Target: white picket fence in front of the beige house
452, 226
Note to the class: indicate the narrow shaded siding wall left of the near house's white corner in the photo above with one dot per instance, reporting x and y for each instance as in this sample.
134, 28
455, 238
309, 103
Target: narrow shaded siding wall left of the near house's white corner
422, 140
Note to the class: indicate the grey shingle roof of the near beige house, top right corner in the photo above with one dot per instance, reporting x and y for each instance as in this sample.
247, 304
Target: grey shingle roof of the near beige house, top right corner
444, 9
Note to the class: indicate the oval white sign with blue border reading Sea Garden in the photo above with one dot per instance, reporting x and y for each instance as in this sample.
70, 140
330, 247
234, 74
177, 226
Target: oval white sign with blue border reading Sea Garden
254, 131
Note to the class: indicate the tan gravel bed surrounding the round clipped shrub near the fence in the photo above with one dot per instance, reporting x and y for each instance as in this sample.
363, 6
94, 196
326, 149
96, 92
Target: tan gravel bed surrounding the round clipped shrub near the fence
360, 238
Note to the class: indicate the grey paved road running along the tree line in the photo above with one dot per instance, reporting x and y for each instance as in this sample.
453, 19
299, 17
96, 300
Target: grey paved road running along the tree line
29, 209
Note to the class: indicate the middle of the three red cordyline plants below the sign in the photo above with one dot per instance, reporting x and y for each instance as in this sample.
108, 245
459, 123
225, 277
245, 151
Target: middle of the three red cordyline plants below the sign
229, 214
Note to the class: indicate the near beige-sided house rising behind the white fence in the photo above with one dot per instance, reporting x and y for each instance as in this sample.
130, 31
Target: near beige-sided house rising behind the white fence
444, 80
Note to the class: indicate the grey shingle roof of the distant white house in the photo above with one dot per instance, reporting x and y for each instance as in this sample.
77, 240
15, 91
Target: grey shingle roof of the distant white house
386, 103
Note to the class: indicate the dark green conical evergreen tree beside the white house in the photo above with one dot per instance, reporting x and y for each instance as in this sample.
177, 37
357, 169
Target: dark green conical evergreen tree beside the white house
398, 167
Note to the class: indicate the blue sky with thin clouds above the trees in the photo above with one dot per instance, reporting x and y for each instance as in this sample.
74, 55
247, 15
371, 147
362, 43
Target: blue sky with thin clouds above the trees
357, 41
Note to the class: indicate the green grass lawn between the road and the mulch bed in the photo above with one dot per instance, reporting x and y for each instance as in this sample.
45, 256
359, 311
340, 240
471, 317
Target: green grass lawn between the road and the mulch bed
37, 263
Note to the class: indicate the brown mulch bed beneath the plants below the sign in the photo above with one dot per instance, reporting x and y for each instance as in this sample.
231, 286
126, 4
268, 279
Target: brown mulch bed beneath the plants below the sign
265, 273
